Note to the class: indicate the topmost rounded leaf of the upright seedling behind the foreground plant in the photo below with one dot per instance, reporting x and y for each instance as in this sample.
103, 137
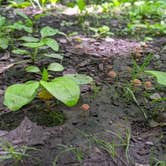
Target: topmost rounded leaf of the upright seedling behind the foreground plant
48, 31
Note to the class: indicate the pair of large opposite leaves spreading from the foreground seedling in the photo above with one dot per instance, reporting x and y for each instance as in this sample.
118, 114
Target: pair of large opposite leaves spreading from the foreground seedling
18, 95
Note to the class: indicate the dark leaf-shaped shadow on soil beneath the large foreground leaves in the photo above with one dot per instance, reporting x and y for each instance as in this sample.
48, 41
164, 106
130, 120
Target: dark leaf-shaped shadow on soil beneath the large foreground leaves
42, 116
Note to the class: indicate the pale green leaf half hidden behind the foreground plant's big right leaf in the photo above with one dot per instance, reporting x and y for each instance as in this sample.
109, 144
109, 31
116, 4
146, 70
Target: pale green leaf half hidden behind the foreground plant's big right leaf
80, 79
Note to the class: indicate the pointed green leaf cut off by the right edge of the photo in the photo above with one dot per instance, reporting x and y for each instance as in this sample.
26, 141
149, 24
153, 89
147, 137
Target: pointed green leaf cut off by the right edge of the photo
161, 76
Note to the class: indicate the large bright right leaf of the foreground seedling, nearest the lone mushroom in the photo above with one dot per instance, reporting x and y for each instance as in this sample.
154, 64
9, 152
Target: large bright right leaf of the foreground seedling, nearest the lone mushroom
64, 89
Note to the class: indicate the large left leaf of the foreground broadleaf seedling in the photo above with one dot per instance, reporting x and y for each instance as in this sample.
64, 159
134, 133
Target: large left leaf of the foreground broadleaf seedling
18, 95
